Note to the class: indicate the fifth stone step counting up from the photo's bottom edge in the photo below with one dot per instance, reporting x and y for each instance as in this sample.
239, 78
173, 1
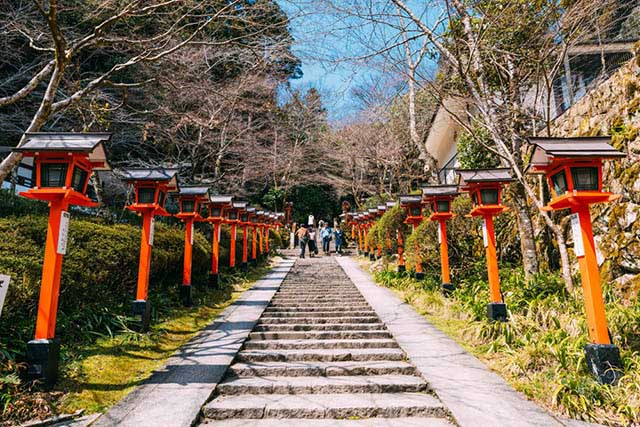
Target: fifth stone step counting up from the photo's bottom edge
321, 355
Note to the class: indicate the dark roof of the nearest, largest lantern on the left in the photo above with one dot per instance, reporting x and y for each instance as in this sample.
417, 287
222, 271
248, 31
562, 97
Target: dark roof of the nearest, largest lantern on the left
91, 143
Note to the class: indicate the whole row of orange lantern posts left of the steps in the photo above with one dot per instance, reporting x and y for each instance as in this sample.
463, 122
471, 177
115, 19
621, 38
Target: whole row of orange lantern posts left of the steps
63, 163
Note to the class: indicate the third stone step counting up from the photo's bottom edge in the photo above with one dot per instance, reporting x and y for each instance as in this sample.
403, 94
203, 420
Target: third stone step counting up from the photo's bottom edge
329, 384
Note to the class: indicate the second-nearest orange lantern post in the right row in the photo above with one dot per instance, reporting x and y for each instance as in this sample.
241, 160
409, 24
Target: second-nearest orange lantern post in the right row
485, 188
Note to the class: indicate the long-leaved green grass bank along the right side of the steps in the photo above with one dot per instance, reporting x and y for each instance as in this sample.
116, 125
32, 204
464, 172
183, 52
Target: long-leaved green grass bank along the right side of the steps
540, 350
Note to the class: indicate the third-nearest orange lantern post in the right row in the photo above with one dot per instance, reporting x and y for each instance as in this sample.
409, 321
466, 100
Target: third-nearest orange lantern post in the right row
440, 198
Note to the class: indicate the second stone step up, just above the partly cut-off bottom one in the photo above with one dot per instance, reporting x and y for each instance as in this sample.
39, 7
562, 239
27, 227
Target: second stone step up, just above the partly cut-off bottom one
317, 406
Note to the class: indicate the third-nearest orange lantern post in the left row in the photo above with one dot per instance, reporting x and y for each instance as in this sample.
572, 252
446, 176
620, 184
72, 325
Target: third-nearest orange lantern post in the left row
191, 200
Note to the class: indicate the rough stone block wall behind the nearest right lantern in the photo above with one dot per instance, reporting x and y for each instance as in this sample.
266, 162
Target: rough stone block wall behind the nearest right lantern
613, 108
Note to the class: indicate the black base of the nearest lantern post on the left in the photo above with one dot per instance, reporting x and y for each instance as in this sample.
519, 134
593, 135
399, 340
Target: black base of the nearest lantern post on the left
42, 361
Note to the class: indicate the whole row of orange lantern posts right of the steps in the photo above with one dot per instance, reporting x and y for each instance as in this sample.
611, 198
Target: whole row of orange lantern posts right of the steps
573, 168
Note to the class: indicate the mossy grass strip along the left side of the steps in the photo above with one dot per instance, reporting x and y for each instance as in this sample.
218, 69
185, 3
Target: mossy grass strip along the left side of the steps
96, 375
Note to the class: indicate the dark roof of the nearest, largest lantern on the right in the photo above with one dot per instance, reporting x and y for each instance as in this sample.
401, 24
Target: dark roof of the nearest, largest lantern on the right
546, 149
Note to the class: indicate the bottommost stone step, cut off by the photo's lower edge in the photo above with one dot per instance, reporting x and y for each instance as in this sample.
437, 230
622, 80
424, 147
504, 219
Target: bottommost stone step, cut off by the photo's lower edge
356, 422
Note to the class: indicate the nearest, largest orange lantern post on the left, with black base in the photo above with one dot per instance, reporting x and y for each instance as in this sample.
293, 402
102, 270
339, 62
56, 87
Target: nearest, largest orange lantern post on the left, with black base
63, 163
